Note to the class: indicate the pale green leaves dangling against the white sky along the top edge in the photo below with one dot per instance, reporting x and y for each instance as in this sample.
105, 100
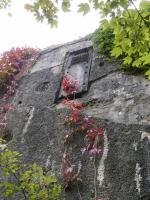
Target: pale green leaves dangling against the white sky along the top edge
48, 9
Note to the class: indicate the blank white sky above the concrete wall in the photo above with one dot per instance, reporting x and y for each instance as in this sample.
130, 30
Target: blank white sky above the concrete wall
23, 30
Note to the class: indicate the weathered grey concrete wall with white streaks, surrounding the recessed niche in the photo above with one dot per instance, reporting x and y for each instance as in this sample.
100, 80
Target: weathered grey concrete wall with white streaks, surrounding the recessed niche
118, 101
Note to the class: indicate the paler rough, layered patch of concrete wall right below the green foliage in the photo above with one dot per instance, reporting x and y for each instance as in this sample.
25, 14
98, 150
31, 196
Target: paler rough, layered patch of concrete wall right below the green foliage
120, 98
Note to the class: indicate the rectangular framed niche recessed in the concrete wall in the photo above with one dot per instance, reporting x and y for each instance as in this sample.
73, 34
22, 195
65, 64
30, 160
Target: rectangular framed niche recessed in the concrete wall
77, 64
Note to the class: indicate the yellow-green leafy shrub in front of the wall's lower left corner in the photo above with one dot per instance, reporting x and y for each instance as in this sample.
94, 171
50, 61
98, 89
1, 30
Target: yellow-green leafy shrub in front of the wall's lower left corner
30, 180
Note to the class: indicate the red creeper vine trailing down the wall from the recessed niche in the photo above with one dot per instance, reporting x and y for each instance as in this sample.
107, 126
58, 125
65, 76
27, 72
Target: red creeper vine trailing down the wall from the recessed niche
79, 123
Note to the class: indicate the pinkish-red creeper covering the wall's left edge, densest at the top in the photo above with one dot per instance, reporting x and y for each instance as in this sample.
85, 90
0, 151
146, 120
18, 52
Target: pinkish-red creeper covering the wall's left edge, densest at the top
13, 65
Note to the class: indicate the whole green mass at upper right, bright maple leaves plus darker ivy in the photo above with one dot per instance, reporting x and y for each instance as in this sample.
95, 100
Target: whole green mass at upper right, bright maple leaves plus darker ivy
130, 40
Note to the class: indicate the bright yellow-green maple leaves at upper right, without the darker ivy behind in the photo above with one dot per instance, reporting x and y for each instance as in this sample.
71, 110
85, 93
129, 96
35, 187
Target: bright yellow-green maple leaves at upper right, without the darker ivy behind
132, 39
